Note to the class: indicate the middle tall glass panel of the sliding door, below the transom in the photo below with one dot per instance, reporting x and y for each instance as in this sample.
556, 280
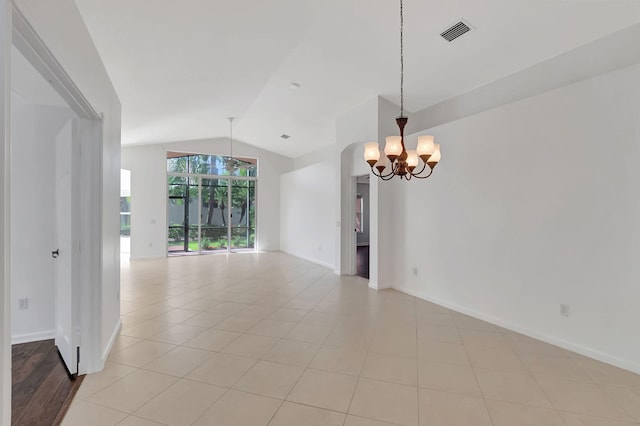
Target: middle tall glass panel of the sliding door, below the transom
214, 215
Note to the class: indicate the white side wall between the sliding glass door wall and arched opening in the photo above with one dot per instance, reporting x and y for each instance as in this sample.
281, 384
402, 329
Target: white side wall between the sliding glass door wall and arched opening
307, 205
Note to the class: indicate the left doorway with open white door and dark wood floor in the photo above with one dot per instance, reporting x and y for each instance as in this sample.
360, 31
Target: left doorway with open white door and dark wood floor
47, 228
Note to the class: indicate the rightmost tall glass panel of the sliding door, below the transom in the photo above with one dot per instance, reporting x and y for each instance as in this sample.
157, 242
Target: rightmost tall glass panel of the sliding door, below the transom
243, 227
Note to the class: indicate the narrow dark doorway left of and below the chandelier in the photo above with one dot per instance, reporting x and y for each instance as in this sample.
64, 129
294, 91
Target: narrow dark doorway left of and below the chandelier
363, 226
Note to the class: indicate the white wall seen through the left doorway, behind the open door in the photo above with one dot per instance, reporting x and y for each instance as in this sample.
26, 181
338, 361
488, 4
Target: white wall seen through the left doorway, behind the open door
33, 133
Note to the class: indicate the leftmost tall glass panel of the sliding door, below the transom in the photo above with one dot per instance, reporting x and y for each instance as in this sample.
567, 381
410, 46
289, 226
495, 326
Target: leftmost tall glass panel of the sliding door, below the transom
182, 214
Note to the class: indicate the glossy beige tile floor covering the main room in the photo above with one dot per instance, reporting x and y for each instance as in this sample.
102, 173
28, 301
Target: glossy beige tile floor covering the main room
269, 339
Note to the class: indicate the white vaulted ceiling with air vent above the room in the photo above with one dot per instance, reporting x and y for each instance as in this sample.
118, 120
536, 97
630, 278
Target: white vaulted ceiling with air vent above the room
181, 68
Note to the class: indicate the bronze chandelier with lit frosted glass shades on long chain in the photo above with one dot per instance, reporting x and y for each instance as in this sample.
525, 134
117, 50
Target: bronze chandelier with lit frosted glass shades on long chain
397, 160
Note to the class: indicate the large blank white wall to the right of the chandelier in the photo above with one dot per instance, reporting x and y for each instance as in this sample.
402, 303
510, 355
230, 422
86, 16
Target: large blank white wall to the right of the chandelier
538, 202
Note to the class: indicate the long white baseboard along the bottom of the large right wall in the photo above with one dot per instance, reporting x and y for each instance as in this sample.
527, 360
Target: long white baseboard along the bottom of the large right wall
553, 340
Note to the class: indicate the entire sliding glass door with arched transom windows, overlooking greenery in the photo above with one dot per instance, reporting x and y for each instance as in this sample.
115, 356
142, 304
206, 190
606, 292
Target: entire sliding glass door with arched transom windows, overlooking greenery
209, 208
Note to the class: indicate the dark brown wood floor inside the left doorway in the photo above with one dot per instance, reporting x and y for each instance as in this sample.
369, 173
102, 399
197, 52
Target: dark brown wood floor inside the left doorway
42, 389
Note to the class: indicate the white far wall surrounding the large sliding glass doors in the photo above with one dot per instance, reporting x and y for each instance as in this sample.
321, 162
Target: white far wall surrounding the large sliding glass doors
149, 192
